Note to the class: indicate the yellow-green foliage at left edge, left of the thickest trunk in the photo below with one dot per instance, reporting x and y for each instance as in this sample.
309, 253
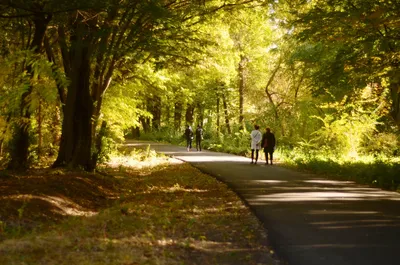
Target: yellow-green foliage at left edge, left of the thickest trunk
42, 101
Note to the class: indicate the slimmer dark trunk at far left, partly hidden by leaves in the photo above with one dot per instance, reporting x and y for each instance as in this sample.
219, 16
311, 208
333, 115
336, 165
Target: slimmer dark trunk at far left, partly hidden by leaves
19, 152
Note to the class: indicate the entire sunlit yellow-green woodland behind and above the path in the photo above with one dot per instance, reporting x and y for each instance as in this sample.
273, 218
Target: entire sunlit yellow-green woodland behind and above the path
79, 77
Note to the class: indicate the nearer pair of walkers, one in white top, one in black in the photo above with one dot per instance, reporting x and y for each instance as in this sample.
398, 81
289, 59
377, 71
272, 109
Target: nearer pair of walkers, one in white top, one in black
265, 141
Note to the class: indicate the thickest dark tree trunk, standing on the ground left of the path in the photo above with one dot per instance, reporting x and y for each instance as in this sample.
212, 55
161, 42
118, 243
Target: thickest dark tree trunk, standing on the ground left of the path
76, 138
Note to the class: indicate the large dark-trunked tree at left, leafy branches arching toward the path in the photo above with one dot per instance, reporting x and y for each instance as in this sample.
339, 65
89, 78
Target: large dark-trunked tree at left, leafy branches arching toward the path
96, 42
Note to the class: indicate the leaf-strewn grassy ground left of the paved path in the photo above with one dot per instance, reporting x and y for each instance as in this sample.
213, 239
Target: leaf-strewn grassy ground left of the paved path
156, 211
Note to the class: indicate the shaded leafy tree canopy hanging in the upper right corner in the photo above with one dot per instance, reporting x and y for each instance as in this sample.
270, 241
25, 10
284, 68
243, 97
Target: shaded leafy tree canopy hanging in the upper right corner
358, 40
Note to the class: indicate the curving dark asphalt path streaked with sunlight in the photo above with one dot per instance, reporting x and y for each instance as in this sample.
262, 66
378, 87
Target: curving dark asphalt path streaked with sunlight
310, 219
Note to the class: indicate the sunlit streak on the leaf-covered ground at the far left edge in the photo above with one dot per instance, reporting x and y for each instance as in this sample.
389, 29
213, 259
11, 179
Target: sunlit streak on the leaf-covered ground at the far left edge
63, 205
